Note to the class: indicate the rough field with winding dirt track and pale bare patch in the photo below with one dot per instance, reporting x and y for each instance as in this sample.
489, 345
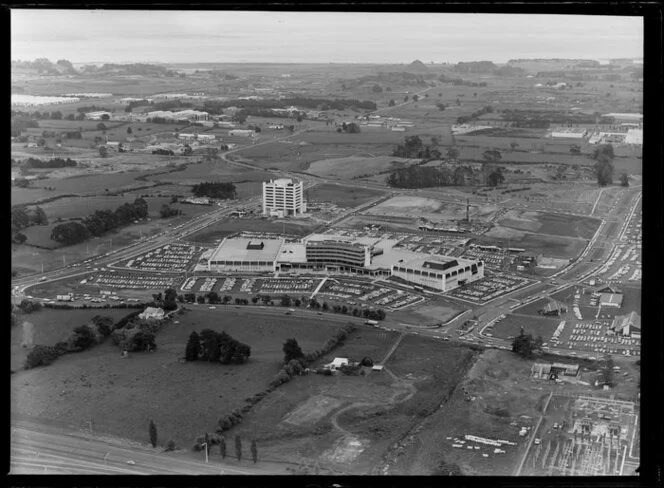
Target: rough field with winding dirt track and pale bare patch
347, 423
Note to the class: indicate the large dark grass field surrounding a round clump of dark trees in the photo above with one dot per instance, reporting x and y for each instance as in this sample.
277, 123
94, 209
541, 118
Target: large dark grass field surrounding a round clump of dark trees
119, 395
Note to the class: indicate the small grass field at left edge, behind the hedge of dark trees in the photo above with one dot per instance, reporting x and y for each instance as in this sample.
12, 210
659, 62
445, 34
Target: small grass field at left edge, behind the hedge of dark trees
51, 327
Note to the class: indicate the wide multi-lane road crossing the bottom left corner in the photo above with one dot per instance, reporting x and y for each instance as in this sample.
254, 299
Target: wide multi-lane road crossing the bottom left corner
38, 449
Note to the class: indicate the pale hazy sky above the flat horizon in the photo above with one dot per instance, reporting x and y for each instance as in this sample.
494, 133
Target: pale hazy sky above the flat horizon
316, 37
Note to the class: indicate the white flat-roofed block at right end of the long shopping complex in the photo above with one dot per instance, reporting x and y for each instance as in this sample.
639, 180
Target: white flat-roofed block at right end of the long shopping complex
441, 273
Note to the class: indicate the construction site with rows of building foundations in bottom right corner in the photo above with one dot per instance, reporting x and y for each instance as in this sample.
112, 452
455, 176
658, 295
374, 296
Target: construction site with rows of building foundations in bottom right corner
585, 436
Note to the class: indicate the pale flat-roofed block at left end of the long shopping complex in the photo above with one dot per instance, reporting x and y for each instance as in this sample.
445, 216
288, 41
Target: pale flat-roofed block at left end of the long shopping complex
244, 254
